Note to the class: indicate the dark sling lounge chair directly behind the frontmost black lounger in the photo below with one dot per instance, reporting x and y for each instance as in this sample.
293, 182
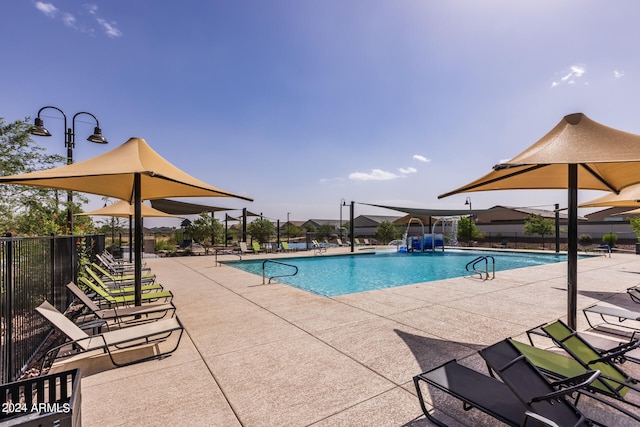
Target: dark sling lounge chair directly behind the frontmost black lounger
518, 372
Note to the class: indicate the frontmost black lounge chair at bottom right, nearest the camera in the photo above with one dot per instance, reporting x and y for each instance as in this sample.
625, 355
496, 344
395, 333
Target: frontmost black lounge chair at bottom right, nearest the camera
515, 402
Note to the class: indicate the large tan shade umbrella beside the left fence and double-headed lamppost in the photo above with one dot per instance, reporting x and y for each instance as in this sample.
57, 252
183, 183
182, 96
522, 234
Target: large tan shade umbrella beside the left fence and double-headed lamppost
132, 172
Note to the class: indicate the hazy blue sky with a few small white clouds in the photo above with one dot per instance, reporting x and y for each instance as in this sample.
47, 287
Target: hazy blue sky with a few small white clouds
299, 104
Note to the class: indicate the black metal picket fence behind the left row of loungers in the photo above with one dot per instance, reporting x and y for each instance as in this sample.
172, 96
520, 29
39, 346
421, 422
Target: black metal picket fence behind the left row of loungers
33, 270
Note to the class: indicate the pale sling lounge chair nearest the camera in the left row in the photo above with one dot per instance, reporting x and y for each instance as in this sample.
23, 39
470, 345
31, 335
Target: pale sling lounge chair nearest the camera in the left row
115, 343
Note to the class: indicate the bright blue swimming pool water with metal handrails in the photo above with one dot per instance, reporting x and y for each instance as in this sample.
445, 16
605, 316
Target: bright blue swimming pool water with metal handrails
346, 274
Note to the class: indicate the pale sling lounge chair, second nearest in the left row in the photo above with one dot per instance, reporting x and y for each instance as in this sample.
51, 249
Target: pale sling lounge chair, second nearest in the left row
123, 316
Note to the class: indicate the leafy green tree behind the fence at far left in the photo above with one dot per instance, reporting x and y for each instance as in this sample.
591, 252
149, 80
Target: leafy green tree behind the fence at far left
28, 210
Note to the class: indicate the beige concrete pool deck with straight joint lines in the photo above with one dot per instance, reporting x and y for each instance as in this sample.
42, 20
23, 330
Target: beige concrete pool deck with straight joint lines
274, 355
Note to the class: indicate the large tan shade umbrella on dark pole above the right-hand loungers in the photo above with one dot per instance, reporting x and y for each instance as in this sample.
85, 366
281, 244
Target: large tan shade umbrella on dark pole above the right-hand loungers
577, 153
